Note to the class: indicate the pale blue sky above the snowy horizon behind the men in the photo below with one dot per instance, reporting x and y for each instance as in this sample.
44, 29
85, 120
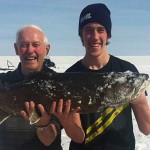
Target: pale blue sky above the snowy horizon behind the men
59, 20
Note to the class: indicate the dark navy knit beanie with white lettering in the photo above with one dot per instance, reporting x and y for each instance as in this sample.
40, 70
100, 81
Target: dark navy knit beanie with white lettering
98, 13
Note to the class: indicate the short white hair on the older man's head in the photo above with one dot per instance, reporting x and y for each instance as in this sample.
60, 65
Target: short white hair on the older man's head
34, 27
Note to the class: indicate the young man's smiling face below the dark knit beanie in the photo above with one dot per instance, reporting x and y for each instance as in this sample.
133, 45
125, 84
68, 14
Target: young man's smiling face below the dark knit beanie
94, 38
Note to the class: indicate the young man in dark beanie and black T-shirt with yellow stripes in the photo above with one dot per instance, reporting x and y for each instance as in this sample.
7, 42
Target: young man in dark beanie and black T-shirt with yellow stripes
113, 130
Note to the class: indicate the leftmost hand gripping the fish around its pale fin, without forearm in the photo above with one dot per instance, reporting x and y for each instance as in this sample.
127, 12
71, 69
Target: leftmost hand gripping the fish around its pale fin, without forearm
43, 120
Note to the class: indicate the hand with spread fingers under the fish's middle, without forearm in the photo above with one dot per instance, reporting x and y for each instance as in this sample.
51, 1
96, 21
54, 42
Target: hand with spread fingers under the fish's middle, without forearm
65, 115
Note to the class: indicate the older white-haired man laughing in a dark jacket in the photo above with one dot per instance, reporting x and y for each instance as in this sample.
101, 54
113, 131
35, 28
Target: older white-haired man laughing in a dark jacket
16, 133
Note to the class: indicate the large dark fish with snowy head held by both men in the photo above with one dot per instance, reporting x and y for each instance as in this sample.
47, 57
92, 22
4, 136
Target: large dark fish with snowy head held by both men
92, 92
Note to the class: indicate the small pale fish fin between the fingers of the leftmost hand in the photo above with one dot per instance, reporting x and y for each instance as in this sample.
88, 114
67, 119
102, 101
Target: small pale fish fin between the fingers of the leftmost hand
34, 117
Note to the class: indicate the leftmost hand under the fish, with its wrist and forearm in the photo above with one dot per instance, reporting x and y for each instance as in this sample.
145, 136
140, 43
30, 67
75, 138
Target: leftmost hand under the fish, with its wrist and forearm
49, 131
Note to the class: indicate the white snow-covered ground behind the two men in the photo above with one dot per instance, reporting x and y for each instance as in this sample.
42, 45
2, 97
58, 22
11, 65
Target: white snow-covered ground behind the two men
63, 62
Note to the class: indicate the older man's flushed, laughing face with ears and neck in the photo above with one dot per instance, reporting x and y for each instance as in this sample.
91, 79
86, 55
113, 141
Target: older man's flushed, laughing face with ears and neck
31, 50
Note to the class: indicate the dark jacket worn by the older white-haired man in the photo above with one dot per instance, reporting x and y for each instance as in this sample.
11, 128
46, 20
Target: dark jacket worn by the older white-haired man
16, 133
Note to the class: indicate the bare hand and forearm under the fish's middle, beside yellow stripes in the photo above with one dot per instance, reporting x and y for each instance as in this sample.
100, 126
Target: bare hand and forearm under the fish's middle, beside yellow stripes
70, 120
